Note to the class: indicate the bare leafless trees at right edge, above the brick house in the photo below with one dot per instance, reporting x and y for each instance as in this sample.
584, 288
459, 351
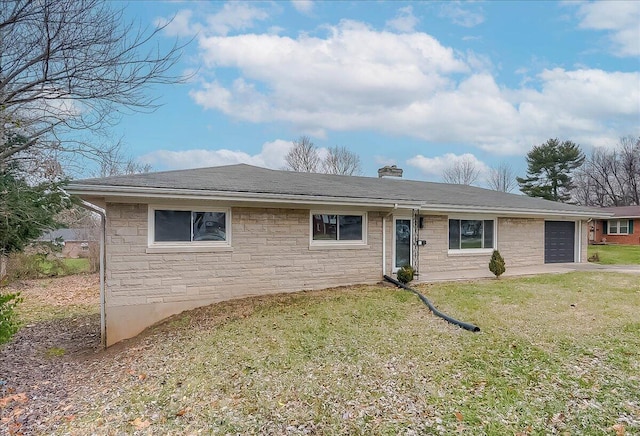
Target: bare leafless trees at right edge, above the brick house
611, 177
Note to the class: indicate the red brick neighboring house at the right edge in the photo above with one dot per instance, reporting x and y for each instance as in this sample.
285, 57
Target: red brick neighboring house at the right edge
622, 228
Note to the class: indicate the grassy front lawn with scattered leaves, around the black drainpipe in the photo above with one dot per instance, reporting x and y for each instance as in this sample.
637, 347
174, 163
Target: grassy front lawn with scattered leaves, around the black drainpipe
557, 354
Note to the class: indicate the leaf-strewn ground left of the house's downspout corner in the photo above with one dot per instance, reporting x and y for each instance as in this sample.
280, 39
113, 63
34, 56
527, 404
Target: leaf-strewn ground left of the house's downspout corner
46, 363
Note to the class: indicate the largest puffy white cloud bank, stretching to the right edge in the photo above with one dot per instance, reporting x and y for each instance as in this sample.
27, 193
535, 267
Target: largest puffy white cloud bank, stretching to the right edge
359, 78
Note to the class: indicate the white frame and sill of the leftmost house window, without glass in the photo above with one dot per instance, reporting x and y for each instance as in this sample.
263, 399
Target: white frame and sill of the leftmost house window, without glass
152, 243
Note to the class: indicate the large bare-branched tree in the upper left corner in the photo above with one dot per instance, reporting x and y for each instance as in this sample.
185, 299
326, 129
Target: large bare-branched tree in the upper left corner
68, 66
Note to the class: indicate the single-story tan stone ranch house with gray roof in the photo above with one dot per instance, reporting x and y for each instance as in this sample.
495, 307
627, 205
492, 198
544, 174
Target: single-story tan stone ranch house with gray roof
177, 240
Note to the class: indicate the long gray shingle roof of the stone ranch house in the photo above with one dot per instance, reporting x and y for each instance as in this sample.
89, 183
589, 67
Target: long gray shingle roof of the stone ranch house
234, 179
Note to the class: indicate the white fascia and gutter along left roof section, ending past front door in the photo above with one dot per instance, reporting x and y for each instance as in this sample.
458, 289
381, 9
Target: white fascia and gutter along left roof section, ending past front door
188, 194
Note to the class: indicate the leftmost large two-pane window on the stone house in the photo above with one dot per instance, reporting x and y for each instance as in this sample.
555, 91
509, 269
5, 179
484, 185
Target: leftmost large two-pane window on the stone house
189, 226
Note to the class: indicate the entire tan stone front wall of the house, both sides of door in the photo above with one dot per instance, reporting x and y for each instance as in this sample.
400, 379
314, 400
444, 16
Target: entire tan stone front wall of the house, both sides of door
270, 253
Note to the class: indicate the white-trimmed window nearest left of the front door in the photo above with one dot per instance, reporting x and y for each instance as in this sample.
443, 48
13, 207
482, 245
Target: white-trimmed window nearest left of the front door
345, 228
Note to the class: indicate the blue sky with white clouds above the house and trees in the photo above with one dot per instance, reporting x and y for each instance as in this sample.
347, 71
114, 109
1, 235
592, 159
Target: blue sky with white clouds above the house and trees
417, 84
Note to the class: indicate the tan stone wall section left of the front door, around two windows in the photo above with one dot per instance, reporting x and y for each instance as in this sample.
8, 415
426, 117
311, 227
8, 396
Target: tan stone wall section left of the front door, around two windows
270, 253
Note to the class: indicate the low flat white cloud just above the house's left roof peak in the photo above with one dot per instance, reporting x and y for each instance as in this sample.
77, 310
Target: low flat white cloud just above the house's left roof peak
271, 156
